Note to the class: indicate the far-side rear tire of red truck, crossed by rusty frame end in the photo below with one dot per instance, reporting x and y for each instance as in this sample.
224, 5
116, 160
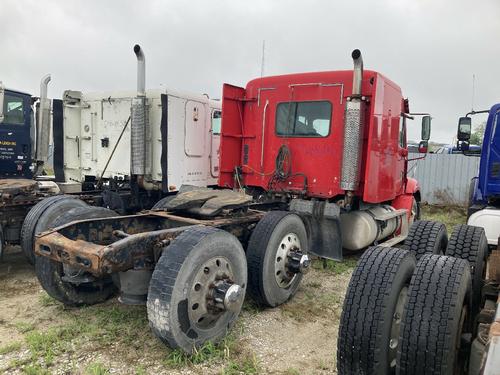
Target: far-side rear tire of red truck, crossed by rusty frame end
50, 272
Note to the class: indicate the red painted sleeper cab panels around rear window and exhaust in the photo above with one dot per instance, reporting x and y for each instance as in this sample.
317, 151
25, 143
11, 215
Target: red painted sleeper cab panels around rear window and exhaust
244, 110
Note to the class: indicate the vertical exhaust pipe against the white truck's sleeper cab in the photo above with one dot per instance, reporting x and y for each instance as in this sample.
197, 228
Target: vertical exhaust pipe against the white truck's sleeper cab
138, 120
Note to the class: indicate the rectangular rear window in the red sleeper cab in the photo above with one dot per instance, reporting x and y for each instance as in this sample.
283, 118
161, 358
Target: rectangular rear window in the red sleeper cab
303, 119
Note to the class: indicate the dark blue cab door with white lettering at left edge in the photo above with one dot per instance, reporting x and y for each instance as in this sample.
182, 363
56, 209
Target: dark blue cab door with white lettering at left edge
15, 137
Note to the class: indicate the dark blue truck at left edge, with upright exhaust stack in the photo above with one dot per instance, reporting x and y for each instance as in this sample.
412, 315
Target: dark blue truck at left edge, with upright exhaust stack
24, 147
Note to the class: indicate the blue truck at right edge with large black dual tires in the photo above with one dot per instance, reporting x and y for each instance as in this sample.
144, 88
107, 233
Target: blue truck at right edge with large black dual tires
427, 308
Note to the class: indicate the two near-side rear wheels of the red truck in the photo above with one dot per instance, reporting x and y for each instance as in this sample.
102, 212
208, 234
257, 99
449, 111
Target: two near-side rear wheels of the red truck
199, 283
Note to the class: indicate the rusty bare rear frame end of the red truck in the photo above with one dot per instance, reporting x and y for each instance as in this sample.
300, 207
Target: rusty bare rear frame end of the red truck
108, 245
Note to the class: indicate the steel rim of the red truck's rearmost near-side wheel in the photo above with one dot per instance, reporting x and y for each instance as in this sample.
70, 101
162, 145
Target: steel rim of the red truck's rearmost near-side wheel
201, 313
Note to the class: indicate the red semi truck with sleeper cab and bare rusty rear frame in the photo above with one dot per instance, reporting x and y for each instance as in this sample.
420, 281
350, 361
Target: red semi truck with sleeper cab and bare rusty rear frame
310, 164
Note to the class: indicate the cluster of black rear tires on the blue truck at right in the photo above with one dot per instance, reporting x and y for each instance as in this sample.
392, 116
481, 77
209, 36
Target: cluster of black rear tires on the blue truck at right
407, 316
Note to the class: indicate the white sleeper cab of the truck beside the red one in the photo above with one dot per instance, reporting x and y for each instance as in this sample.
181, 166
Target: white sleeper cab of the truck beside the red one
181, 144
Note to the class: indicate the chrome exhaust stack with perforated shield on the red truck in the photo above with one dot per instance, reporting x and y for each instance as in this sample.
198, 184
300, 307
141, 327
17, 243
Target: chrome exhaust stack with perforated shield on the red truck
353, 131
